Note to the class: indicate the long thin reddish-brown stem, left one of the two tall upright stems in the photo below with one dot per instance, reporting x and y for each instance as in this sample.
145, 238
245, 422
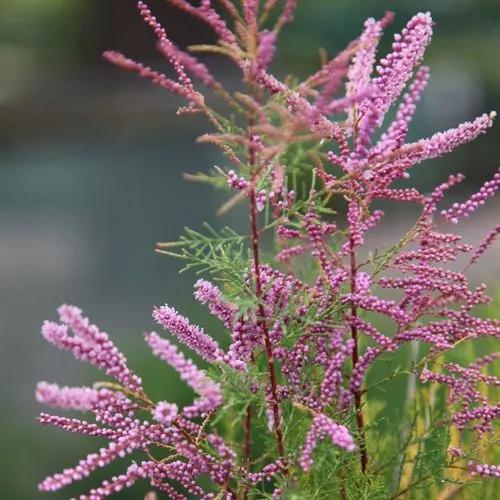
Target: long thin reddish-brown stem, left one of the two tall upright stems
263, 324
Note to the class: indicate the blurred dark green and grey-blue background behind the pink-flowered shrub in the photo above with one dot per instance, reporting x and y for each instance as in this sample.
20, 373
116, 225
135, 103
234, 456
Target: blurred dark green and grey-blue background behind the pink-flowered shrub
91, 163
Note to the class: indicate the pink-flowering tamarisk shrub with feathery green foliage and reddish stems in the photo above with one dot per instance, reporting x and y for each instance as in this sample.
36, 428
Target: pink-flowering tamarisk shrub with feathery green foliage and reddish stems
283, 407
